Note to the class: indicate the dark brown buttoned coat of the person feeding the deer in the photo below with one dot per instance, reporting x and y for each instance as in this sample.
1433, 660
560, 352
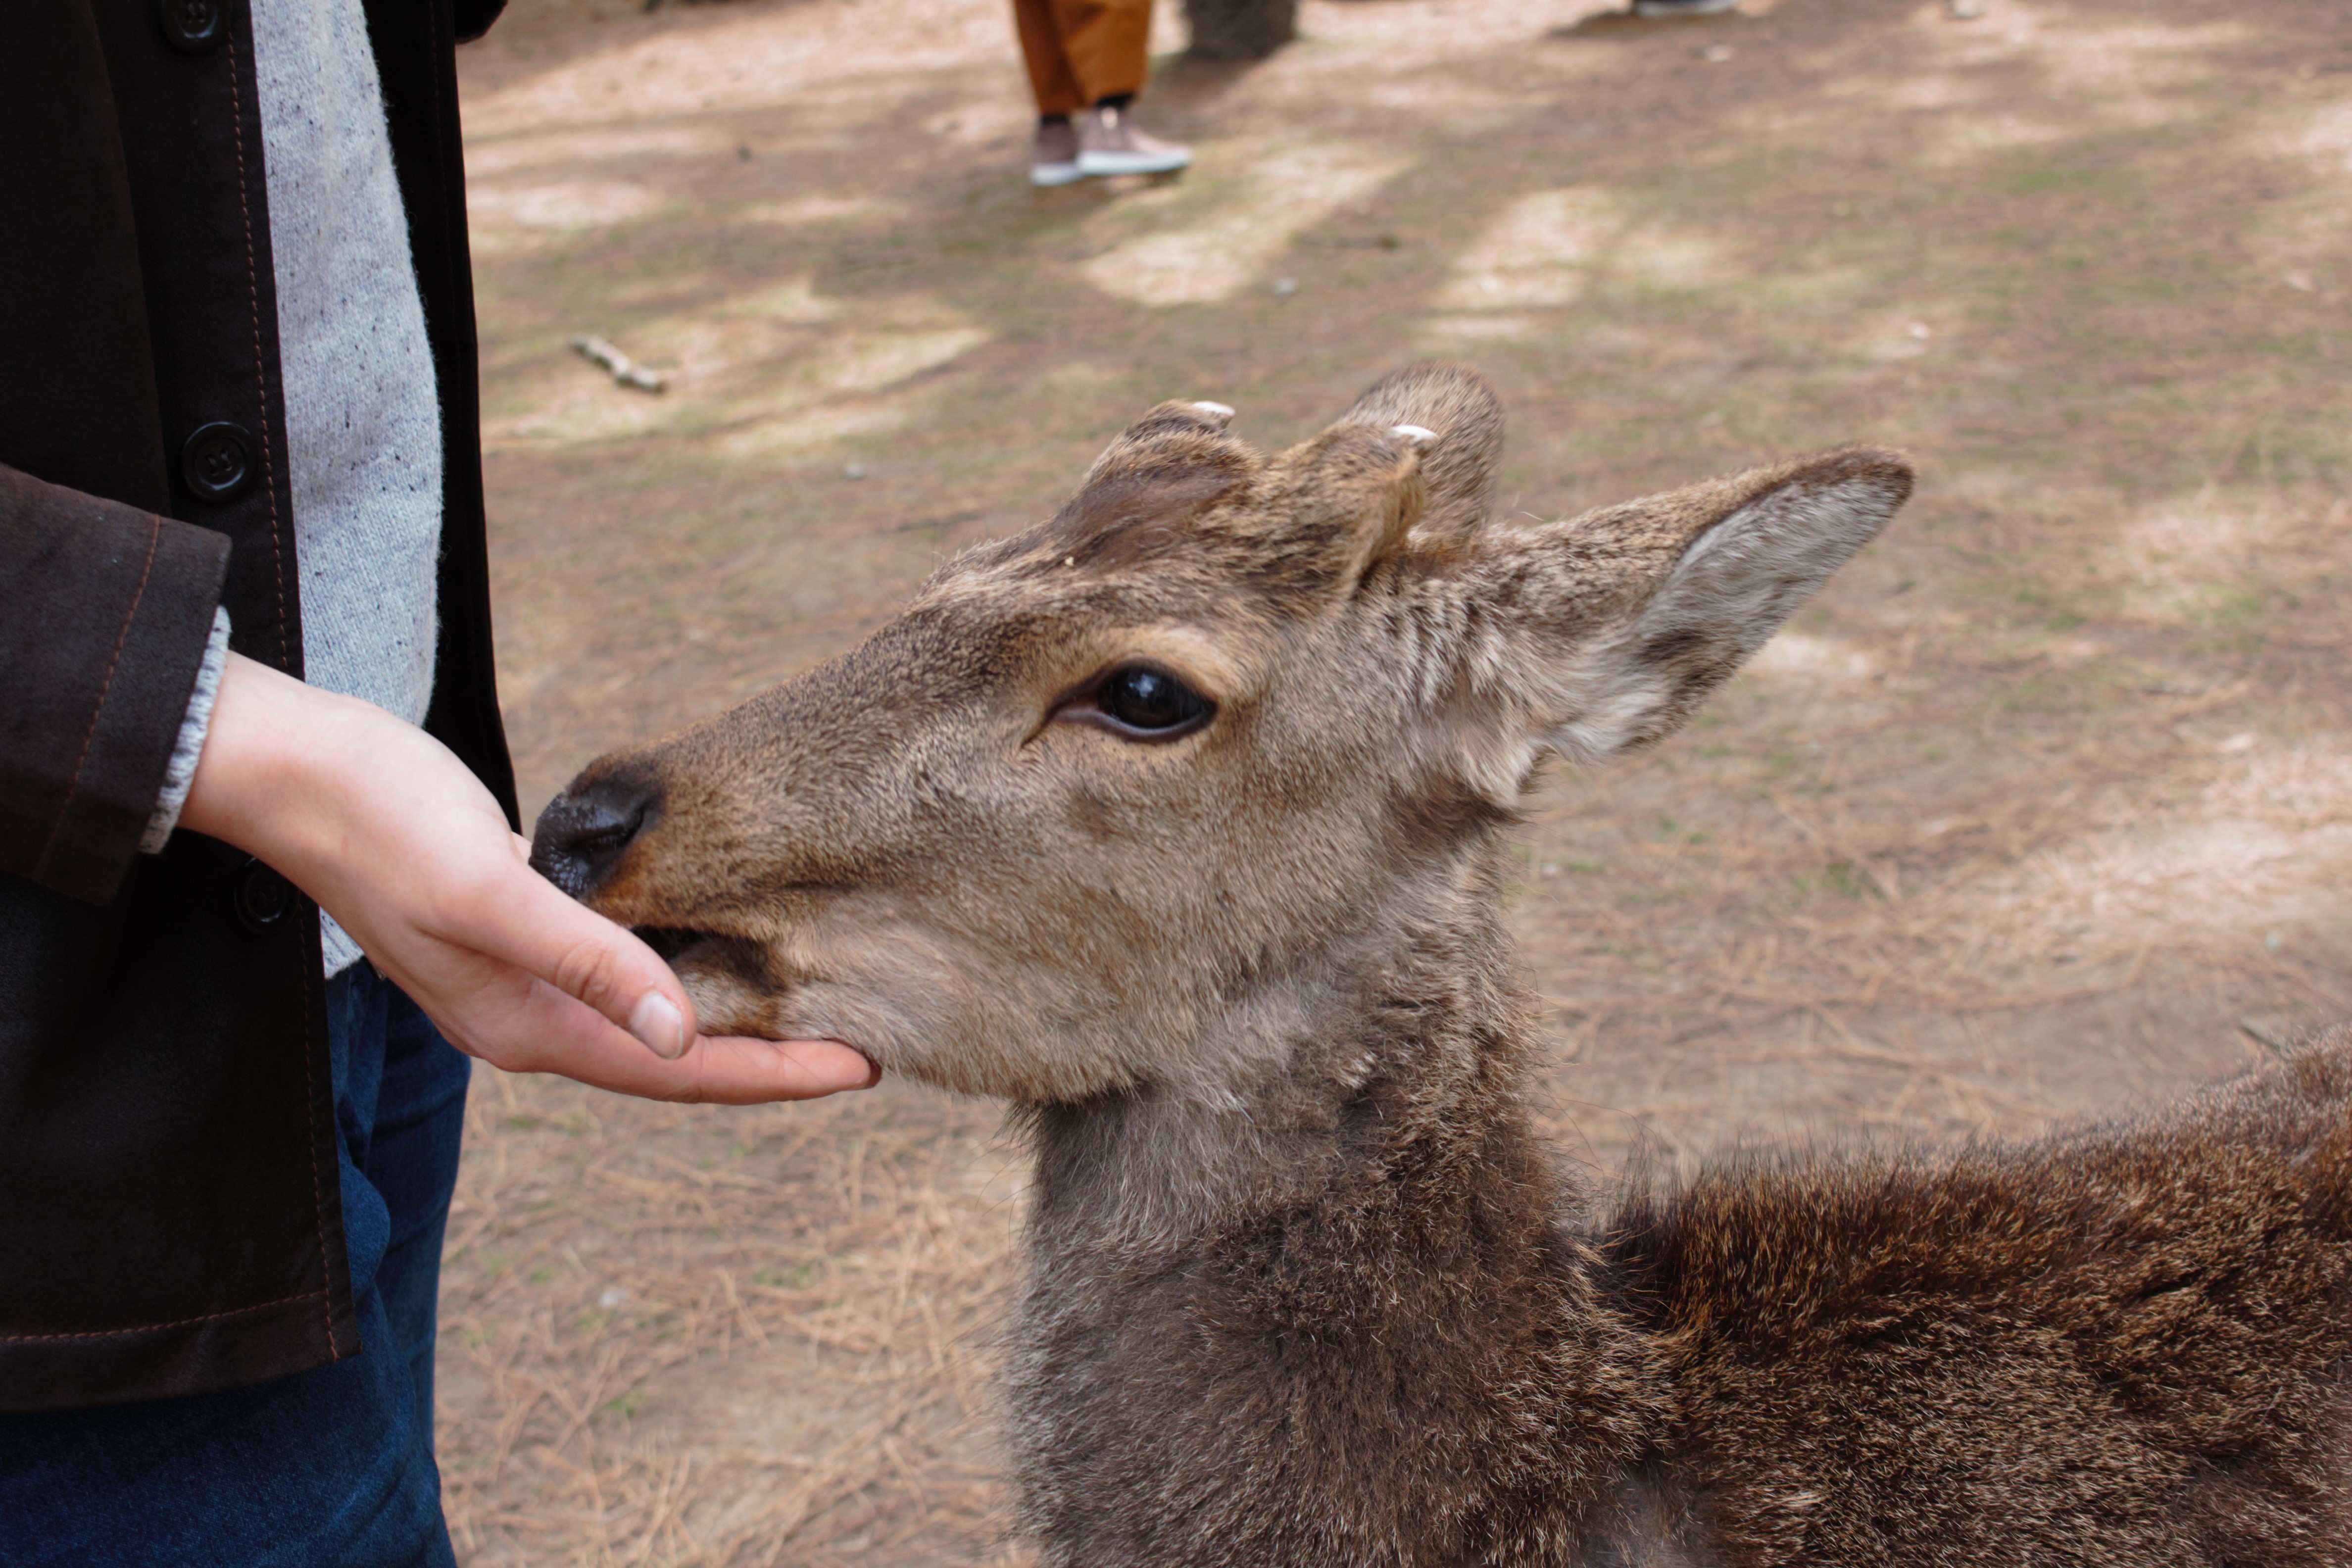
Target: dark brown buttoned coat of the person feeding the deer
166, 1118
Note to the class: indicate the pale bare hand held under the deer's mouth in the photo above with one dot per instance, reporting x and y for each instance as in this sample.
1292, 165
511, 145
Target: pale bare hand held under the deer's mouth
413, 857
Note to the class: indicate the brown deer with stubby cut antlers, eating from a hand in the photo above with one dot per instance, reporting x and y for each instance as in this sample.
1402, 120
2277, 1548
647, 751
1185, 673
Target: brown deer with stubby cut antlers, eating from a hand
1182, 822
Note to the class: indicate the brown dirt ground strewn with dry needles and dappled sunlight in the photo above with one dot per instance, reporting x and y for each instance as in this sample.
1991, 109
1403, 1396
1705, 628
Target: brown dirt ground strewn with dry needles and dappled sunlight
2045, 805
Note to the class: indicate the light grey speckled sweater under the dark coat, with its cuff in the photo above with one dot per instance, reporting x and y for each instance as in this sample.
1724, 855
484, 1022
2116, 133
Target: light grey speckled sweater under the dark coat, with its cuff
363, 415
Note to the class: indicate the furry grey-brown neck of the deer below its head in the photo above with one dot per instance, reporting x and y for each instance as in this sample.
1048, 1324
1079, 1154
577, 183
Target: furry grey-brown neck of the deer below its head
1342, 1306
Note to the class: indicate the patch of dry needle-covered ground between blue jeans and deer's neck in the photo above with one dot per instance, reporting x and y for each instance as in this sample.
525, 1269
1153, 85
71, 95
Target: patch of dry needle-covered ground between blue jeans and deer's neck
643, 1299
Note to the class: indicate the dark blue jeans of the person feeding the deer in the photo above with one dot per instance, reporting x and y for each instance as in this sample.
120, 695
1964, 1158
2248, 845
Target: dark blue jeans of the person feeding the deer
333, 1466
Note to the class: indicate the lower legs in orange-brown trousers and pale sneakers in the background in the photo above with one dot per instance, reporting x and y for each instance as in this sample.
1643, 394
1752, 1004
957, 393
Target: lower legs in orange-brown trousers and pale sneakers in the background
1088, 62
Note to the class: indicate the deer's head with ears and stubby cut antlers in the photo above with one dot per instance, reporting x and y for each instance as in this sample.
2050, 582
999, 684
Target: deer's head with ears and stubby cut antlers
1111, 796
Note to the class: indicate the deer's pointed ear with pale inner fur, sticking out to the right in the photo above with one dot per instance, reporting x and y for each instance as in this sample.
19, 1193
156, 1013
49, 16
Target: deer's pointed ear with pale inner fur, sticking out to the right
1608, 631
